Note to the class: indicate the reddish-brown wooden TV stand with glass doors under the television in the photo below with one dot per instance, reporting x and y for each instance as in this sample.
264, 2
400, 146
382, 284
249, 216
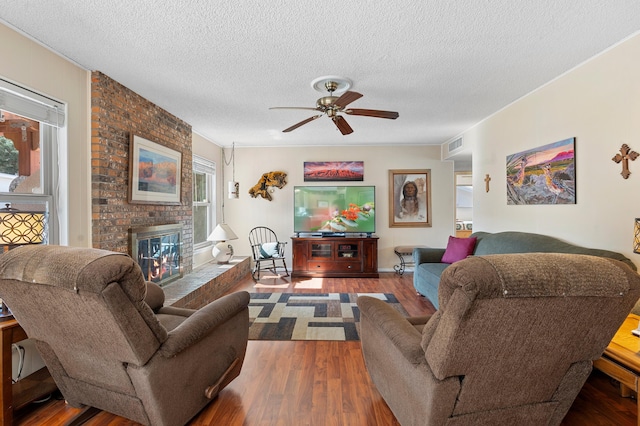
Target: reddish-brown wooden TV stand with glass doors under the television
335, 257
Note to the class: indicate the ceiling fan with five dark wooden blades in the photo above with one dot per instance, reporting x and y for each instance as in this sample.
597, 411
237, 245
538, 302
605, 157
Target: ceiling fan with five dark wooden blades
333, 105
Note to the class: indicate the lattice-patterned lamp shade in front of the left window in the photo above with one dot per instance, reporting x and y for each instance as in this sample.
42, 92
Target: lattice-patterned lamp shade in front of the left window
20, 227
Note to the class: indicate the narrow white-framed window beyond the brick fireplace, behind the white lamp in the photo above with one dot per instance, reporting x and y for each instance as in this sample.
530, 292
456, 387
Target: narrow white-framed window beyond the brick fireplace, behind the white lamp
203, 201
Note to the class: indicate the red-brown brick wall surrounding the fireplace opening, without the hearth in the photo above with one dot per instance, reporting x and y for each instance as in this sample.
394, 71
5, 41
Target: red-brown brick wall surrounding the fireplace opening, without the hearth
116, 113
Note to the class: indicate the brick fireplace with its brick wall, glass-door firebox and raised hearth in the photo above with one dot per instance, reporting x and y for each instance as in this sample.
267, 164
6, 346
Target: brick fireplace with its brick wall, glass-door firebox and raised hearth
116, 113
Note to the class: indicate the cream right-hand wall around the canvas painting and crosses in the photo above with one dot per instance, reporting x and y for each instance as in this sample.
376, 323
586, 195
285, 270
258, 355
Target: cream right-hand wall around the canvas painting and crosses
598, 103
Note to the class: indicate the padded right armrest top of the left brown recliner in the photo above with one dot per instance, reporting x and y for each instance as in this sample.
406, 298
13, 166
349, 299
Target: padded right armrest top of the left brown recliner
204, 321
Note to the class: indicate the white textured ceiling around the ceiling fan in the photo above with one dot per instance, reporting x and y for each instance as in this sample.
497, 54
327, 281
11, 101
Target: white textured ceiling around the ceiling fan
219, 65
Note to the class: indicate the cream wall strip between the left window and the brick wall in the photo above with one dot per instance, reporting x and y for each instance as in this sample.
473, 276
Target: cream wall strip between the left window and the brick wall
32, 66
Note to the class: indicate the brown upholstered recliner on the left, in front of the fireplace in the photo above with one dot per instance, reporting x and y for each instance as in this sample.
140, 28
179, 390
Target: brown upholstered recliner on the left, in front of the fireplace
106, 347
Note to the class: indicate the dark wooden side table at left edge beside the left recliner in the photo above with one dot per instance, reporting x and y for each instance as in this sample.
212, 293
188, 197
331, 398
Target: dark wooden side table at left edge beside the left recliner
31, 388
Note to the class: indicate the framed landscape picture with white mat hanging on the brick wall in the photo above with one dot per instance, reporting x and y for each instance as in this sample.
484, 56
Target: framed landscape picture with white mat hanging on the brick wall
154, 173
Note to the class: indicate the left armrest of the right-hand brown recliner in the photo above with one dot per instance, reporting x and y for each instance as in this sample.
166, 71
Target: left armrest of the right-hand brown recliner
393, 326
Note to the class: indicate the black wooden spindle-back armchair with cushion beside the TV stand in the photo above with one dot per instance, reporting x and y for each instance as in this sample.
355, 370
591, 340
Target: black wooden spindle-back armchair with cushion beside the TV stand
266, 251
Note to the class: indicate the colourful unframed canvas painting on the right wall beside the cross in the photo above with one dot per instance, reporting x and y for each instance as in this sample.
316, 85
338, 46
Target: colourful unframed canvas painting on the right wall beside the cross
543, 175
